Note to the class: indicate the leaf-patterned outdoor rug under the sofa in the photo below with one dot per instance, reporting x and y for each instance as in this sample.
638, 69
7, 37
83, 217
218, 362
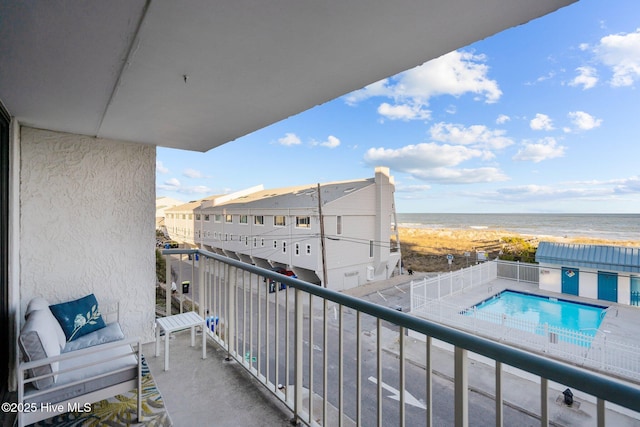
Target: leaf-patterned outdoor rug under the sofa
119, 410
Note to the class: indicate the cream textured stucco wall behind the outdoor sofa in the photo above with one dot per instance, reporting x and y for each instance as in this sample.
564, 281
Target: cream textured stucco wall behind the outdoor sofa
87, 223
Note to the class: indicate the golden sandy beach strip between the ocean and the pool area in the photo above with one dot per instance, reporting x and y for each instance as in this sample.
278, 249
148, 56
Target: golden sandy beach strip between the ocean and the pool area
426, 249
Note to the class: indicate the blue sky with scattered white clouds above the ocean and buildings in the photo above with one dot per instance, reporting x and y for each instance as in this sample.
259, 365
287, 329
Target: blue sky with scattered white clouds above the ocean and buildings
544, 117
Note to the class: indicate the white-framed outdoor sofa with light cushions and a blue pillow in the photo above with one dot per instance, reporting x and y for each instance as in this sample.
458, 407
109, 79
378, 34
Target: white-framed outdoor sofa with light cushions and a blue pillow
73, 358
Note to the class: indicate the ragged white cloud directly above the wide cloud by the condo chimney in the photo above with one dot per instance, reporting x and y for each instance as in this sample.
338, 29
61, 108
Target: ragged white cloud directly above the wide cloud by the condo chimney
478, 136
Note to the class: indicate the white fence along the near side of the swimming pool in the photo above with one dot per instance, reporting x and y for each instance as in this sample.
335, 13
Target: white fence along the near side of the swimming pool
591, 349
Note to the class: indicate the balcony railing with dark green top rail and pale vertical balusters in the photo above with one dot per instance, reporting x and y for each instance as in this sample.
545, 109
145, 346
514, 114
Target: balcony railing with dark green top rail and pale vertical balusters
323, 353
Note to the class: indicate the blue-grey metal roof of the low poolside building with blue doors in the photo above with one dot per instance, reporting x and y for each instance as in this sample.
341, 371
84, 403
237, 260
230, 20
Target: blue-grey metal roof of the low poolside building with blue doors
601, 257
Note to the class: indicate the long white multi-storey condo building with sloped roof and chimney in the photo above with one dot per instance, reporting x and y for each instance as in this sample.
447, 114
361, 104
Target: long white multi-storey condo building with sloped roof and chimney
336, 234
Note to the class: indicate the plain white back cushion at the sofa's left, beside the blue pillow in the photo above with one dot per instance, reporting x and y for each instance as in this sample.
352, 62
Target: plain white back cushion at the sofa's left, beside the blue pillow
38, 339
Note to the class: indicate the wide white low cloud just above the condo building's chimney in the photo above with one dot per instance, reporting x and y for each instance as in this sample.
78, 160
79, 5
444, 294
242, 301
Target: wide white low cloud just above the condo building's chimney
434, 162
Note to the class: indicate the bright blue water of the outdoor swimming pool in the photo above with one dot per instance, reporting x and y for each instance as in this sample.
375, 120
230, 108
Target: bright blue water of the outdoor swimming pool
585, 318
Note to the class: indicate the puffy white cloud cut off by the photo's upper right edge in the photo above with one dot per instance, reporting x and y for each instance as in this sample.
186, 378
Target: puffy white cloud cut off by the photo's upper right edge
621, 52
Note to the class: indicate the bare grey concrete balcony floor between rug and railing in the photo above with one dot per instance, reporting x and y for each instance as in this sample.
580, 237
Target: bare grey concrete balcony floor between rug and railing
210, 391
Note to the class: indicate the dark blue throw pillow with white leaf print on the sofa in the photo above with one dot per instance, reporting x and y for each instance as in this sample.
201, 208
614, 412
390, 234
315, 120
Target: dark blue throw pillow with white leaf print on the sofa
79, 317
